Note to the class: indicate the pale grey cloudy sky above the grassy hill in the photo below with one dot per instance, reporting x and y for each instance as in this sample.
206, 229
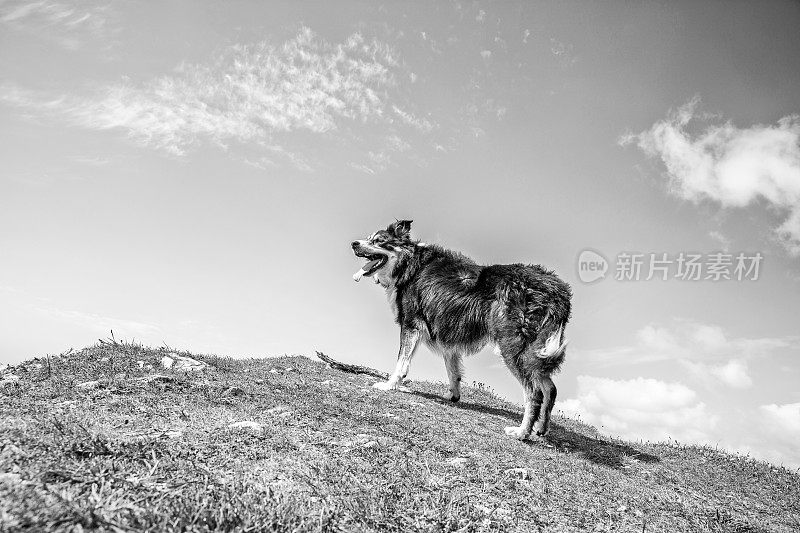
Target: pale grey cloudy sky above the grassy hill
191, 174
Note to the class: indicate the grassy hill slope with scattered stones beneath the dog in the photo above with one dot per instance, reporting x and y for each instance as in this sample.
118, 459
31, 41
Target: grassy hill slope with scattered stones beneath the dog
106, 438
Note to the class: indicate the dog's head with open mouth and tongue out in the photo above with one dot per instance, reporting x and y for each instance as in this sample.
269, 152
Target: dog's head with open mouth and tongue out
383, 249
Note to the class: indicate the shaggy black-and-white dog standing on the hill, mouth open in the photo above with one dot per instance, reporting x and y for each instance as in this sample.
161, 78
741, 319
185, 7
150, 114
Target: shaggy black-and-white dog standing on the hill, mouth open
457, 307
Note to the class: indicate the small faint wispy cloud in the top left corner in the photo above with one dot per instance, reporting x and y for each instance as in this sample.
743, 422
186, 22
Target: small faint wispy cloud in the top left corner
67, 23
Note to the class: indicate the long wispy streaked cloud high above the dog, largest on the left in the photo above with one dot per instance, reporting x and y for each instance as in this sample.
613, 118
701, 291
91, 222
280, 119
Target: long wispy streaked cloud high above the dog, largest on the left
247, 95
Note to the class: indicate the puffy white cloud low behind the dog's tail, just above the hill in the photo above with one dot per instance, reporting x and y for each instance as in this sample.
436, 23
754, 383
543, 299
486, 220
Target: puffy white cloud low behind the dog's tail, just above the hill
641, 408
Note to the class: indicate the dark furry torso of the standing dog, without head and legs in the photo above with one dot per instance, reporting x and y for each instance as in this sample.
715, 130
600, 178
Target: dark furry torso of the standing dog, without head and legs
460, 303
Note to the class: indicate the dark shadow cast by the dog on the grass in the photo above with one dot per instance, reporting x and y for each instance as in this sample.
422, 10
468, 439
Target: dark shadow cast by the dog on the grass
595, 449
